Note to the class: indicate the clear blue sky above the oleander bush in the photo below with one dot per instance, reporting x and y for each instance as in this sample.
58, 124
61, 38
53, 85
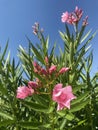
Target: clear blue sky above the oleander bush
18, 16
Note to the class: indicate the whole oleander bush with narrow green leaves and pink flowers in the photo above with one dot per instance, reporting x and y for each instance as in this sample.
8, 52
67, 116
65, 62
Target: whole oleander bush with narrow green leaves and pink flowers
48, 90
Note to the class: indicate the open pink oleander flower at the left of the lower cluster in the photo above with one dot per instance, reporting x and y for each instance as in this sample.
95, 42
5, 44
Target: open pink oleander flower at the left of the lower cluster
24, 91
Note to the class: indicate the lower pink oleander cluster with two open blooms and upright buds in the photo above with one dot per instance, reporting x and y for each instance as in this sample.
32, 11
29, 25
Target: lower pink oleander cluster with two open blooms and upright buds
59, 94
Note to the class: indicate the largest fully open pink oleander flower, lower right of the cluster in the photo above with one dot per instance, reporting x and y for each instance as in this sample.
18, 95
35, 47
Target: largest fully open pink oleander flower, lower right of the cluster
62, 96
